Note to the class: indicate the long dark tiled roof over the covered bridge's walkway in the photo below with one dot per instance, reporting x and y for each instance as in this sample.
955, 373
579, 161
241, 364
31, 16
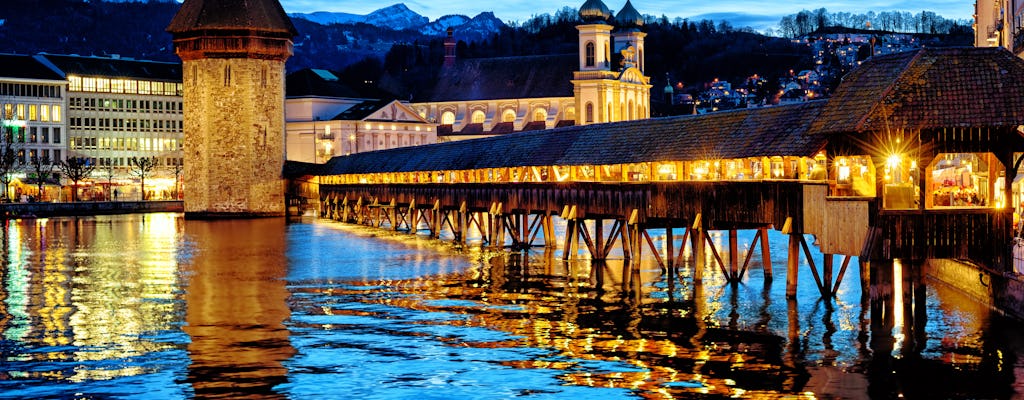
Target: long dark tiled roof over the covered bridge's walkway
755, 132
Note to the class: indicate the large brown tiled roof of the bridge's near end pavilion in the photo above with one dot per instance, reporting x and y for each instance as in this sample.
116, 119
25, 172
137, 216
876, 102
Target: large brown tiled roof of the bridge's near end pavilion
929, 88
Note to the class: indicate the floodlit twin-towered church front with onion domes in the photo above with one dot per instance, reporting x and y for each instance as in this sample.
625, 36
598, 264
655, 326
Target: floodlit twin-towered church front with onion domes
609, 91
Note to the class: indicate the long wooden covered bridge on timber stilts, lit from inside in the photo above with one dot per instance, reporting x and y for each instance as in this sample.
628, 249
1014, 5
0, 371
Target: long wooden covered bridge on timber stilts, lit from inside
912, 159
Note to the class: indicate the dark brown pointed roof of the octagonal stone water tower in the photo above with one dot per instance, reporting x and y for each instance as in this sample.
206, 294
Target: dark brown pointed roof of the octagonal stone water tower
264, 16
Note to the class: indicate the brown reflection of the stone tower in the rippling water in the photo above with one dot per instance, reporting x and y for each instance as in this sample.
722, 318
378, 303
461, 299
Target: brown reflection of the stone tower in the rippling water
237, 303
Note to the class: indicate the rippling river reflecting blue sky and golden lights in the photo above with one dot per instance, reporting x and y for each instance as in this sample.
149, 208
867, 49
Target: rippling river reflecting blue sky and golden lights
155, 306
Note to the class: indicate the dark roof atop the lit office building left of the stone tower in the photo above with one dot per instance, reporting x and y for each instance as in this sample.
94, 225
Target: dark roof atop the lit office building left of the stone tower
116, 68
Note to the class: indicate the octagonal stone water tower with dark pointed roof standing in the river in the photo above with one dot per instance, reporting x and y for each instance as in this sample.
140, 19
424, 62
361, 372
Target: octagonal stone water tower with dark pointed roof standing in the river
233, 56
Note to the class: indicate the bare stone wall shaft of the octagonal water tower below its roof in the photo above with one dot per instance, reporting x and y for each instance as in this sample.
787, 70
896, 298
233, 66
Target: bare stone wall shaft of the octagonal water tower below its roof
235, 138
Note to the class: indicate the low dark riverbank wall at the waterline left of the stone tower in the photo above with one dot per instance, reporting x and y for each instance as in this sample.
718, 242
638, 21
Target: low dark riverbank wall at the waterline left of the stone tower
42, 210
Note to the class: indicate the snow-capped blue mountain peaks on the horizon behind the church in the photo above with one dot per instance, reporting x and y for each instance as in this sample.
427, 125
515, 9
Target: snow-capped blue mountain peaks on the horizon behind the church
399, 17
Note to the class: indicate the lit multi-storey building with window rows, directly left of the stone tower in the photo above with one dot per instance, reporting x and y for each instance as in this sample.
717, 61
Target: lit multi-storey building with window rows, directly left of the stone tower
119, 109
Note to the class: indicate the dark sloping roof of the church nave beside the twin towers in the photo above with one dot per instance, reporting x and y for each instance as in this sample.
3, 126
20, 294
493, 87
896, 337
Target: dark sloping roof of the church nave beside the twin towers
489, 79
